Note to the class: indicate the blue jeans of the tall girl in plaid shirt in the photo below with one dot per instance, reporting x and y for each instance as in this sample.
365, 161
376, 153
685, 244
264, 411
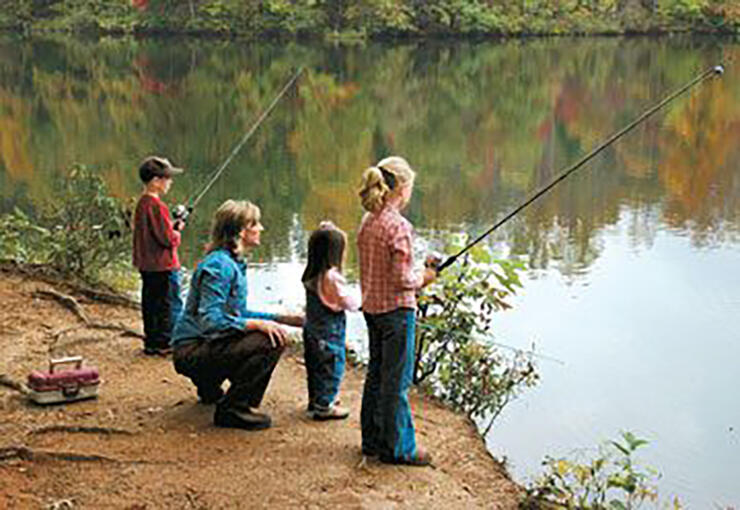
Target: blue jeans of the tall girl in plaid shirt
387, 425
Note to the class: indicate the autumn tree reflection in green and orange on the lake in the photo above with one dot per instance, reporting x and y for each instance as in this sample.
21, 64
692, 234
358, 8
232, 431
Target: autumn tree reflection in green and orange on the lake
483, 124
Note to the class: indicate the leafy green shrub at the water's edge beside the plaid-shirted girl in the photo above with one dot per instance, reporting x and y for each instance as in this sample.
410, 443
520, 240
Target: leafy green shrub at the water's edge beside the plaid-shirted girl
456, 358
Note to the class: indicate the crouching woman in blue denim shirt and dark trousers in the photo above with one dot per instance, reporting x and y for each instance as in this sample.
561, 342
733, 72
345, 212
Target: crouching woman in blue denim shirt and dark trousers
217, 337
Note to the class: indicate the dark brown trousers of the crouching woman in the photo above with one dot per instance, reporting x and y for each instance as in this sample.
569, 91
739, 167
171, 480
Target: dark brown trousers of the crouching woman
245, 359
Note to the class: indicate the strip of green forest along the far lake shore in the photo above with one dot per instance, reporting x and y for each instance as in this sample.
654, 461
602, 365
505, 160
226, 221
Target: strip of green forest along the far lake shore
372, 18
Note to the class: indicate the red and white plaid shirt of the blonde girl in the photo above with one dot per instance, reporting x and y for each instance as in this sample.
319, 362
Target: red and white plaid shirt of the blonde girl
387, 278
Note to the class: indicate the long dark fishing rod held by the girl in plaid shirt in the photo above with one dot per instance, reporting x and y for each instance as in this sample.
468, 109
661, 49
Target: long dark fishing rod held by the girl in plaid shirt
714, 71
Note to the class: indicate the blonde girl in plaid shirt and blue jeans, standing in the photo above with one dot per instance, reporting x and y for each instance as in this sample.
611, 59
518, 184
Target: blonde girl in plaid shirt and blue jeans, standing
389, 285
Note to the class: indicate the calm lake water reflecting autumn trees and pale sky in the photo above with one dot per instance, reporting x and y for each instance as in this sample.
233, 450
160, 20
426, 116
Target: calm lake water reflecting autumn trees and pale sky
633, 281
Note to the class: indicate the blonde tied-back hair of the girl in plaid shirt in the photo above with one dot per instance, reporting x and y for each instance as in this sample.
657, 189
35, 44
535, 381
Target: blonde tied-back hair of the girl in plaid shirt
383, 181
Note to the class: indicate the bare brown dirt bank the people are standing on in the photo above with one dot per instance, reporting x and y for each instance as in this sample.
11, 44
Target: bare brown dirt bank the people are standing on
161, 450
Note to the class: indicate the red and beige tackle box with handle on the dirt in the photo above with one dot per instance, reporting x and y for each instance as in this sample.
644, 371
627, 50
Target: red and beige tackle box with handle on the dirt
58, 386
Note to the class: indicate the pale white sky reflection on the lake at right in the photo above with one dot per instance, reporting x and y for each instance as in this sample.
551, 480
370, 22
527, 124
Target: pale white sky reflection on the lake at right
646, 344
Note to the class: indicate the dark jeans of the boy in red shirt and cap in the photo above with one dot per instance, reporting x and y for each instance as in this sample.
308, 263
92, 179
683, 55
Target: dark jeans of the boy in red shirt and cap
161, 304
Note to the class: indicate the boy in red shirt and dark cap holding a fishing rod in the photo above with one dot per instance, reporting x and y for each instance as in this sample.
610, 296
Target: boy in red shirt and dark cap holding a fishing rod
156, 238
